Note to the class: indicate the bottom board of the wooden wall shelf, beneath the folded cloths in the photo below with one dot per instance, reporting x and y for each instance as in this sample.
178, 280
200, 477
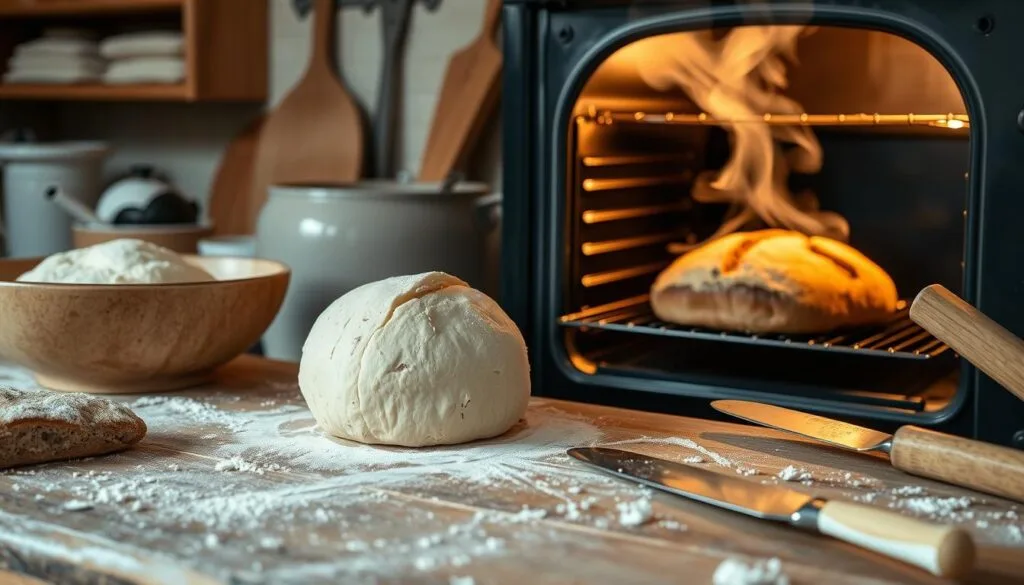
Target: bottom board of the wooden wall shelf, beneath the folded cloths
95, 93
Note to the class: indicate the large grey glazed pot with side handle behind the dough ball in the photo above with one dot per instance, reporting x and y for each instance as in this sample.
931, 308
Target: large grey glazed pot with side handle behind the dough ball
337, 238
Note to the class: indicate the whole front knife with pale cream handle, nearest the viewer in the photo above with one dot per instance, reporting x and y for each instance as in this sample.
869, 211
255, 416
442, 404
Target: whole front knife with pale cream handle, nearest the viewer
946, 552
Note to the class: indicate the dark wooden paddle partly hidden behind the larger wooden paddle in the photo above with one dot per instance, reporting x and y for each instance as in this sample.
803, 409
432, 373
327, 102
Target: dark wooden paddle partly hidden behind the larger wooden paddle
231, 195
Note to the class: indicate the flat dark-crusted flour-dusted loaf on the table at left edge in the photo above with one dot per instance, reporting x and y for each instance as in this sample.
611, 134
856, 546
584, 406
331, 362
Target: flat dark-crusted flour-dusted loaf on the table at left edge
39, 426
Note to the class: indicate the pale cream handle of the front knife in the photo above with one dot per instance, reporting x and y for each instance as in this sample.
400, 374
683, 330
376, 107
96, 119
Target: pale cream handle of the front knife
943, 551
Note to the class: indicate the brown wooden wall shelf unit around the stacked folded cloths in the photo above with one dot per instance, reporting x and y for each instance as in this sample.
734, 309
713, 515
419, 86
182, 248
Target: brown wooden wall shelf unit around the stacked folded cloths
226, 56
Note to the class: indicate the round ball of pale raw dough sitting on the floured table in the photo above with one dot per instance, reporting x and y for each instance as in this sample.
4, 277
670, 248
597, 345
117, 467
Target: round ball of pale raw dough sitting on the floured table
415, 361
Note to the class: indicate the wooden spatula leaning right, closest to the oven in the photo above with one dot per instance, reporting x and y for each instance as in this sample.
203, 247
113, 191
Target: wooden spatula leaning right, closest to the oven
468, 97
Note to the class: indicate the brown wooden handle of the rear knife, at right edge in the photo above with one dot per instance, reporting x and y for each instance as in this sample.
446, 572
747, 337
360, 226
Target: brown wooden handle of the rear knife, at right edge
990, 469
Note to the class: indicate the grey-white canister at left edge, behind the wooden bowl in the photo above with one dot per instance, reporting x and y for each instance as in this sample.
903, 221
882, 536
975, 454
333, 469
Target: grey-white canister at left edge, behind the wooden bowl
33, 226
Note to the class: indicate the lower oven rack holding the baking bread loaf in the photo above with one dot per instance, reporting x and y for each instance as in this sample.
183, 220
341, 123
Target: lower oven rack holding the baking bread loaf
900, 339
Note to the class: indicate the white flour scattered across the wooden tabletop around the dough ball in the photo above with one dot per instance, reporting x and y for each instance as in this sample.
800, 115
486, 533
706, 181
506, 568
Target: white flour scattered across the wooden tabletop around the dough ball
271, 499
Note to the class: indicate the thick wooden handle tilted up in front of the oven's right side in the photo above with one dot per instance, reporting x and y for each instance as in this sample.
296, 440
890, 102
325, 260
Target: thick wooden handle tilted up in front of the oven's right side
983, 342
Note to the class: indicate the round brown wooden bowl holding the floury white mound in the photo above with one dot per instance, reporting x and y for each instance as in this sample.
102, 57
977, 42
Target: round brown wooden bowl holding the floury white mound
137, 339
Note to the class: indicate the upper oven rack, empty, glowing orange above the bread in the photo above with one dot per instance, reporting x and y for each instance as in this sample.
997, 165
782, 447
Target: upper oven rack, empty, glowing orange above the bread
950, 120
